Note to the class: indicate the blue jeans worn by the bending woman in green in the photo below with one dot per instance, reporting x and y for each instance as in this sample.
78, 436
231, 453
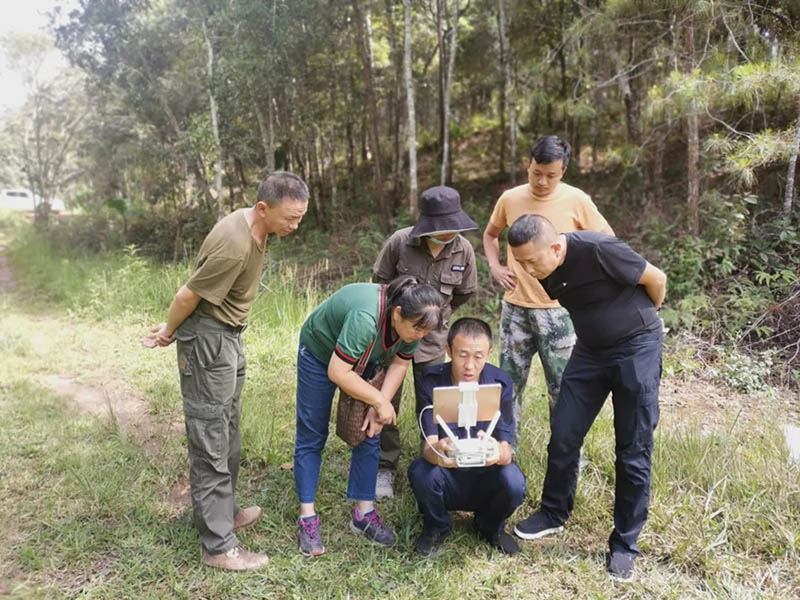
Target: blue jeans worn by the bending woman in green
314, 398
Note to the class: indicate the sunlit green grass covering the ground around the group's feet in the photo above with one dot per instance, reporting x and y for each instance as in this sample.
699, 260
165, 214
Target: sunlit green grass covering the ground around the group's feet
85, 506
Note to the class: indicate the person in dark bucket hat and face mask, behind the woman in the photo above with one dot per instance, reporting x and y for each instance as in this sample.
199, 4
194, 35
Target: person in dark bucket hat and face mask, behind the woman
435, 252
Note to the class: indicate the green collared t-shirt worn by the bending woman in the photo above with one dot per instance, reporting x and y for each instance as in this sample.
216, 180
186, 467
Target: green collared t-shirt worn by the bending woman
347, 322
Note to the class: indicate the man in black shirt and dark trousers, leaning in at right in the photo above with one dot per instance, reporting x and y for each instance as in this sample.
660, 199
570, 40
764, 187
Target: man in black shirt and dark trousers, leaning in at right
612, 295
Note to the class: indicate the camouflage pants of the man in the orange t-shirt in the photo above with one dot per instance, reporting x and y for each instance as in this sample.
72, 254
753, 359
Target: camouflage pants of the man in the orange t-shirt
523, 333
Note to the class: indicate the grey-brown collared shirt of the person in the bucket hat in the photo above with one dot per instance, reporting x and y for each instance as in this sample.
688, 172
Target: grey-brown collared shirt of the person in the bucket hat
452, 272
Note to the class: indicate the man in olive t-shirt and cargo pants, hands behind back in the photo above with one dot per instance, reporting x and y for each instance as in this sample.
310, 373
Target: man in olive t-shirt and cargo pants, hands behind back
207, 317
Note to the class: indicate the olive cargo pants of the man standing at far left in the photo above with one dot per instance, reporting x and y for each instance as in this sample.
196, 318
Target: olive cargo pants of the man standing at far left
212, 371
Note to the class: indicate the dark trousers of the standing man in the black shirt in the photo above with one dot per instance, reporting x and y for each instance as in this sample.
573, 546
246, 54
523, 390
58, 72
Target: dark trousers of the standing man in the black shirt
631, 371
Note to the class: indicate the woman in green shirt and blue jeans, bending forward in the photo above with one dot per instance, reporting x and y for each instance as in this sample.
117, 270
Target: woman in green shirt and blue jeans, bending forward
388, 319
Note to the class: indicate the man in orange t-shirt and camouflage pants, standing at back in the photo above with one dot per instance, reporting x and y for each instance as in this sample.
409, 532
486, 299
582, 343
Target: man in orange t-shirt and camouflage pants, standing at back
531, 321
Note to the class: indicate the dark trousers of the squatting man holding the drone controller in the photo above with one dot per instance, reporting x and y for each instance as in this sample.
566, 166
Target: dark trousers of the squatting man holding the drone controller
492, 493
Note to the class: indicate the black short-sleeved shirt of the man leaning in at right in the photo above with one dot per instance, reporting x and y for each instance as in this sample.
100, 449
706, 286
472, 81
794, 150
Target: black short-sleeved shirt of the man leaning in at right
598, 284
